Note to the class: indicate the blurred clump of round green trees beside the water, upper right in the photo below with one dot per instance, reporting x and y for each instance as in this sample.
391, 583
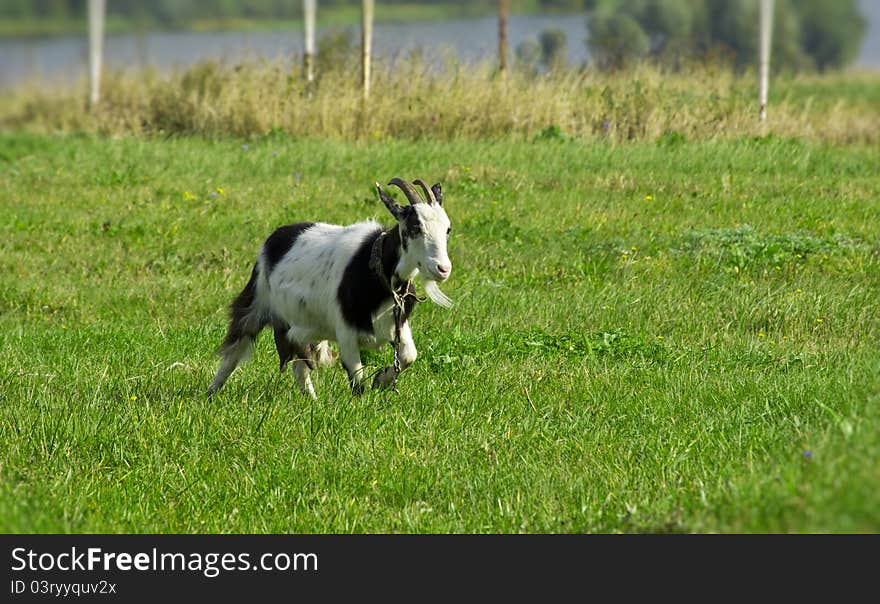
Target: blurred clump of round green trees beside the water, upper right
823, 33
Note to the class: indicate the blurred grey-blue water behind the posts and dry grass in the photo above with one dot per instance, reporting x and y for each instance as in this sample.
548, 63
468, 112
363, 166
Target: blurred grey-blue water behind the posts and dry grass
471, 39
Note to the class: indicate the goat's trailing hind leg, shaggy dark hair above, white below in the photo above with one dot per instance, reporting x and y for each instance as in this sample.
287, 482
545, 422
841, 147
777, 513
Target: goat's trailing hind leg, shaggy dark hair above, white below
247, 317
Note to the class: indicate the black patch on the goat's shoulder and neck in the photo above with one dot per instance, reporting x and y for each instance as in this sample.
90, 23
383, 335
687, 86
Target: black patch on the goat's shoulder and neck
361, 292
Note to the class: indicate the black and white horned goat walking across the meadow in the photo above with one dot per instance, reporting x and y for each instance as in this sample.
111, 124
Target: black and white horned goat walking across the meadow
314, 282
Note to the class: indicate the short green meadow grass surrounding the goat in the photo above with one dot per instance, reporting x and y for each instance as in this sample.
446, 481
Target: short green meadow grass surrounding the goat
658, 336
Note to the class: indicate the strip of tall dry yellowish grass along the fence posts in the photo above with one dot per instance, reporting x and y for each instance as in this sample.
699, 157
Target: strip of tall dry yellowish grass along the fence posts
412, 100
